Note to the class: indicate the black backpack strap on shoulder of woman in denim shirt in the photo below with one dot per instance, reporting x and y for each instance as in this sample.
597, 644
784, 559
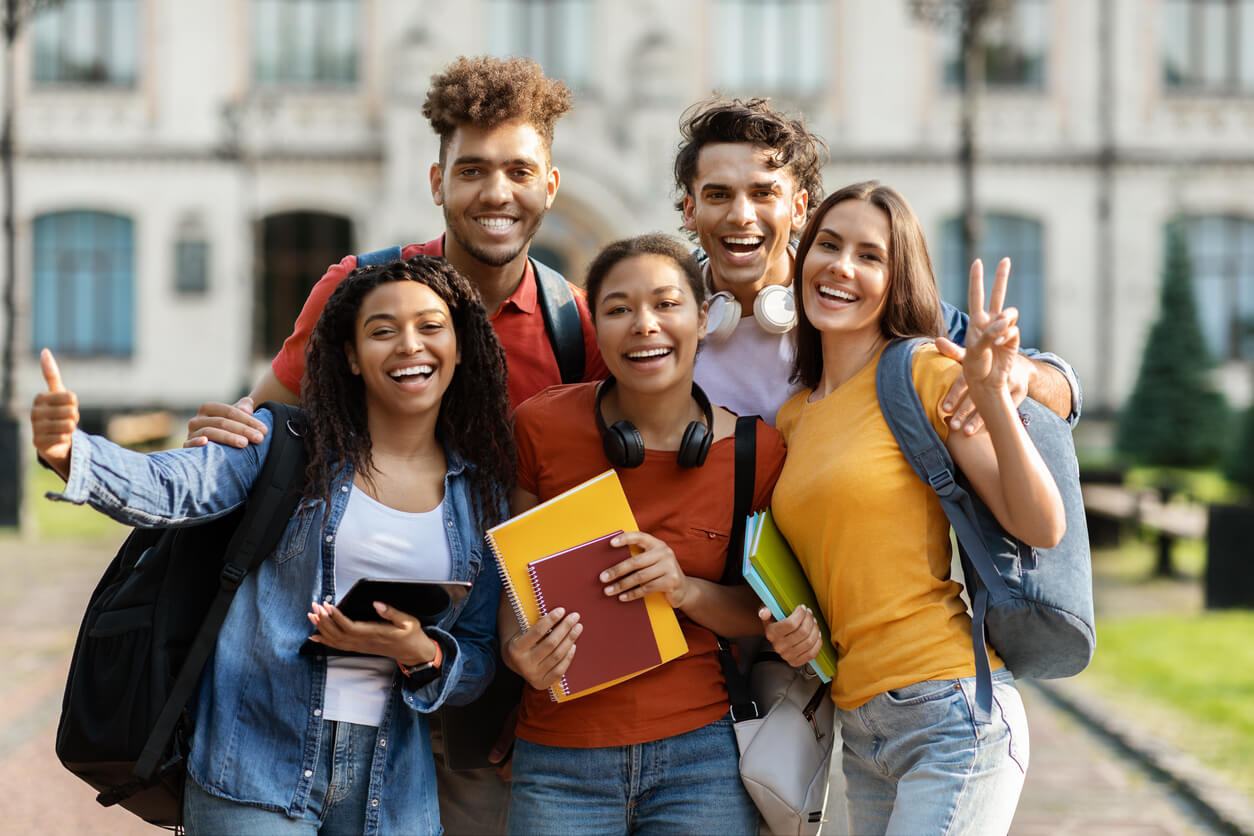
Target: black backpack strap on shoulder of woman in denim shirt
271, 504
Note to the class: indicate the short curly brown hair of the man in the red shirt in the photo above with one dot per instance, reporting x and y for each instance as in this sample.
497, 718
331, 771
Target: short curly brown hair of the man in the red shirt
487, 92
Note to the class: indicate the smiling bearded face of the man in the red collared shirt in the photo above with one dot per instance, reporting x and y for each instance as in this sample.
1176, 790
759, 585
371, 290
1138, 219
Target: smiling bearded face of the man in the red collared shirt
495, 187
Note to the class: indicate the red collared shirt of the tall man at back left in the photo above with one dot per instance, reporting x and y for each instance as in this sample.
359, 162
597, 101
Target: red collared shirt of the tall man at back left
520, 325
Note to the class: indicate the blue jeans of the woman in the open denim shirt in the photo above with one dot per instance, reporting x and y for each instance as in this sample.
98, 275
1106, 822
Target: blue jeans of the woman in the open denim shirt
338, 803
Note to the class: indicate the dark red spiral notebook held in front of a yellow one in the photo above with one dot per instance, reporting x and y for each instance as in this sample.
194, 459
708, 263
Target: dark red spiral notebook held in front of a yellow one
618, 639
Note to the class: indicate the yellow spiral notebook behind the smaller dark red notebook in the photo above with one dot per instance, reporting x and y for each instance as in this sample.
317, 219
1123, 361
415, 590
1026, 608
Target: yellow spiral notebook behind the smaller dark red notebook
587, 512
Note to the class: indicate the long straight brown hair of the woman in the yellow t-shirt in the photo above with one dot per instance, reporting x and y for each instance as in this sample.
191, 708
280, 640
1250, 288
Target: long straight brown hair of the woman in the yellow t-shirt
912, 305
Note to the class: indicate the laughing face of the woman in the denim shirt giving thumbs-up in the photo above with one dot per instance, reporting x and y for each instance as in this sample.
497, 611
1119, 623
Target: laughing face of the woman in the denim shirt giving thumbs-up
404, 349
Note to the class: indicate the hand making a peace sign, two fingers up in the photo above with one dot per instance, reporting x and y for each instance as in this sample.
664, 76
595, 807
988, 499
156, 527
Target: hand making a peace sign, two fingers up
993, 335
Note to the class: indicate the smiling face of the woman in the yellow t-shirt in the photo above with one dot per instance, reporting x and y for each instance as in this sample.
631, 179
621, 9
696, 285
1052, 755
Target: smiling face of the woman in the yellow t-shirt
846, 274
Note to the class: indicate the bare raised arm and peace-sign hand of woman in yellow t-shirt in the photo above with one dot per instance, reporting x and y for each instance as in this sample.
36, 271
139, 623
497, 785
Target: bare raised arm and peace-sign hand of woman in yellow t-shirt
1001, 462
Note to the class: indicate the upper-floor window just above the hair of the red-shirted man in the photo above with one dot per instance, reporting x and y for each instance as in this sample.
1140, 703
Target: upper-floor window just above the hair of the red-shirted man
556, 34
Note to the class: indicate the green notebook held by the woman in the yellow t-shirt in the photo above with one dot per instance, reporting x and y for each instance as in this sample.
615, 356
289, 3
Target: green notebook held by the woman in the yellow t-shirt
774, 573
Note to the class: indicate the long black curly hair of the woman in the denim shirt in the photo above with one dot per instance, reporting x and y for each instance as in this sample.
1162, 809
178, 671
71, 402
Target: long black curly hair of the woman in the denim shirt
475, 421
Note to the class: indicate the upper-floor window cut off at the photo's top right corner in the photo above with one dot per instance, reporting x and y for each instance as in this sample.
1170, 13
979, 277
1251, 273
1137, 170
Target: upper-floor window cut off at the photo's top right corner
1208, 46
